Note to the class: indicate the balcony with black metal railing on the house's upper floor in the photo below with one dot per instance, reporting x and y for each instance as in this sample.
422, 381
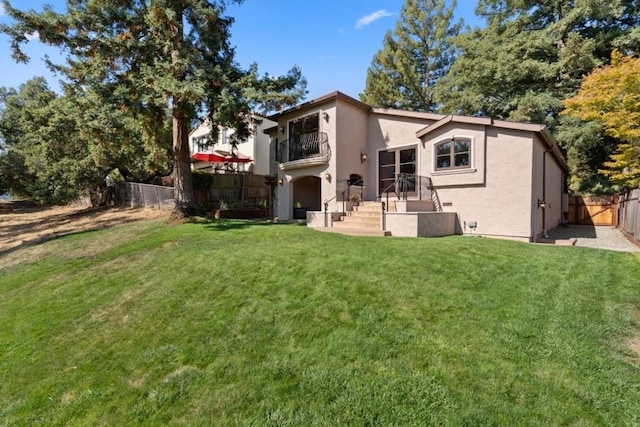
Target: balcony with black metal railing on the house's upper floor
304, 150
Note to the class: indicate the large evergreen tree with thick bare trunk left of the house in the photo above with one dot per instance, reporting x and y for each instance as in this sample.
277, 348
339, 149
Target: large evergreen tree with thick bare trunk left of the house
140, 56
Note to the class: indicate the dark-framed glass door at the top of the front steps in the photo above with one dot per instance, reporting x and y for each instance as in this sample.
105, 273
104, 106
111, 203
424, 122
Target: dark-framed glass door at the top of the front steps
397, 170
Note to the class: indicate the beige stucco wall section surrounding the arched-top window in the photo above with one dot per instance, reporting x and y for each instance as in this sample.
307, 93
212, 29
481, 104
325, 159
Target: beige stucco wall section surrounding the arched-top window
496, 191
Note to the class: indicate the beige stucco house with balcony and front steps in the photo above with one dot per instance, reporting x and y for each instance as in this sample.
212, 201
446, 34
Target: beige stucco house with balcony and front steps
416, 174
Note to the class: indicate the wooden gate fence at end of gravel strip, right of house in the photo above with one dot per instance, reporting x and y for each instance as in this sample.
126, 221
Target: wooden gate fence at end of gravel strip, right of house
596, 210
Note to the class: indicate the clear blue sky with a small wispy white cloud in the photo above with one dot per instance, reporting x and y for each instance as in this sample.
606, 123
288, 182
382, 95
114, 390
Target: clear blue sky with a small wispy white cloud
332, 41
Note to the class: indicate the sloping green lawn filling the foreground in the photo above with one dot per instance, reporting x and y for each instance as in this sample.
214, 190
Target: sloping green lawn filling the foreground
243, 323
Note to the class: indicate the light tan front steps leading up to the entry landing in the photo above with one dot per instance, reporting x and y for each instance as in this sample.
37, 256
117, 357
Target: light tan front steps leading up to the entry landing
364, 220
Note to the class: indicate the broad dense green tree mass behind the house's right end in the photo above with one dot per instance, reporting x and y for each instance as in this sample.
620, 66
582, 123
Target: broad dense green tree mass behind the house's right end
531, 56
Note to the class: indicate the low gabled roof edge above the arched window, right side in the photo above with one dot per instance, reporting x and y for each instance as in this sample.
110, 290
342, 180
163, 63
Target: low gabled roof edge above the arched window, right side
541, 130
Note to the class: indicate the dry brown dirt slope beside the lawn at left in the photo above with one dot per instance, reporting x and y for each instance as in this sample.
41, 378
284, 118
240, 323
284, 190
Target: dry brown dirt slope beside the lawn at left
23, 223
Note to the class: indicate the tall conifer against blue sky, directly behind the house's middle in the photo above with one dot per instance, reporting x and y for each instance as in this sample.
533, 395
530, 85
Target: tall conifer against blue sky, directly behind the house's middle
418, 52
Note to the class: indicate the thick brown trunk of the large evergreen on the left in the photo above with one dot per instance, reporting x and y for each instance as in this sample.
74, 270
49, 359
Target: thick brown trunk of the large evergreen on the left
182, 179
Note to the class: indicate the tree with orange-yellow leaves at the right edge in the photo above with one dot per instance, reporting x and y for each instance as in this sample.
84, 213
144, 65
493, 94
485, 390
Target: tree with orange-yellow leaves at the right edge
610, 95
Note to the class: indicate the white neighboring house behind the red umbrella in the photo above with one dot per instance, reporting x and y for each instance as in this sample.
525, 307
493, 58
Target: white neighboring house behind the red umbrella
256, 148
